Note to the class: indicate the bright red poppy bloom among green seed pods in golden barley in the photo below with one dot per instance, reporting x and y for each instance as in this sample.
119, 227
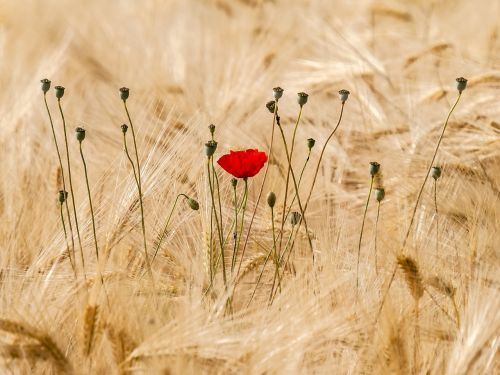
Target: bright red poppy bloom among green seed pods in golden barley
243, 164
